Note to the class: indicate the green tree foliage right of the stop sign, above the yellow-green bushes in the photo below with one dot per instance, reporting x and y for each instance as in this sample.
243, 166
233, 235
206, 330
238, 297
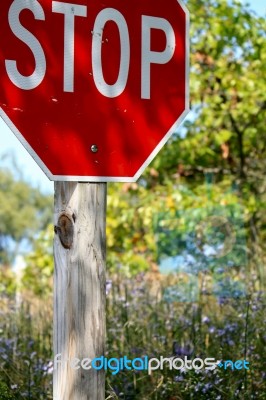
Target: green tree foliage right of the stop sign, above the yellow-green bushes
228, 87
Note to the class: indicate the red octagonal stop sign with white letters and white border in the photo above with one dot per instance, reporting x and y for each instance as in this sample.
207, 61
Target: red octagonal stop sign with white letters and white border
93, 89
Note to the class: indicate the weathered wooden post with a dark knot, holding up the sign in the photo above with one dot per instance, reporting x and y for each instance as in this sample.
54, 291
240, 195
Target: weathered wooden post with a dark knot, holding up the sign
79, 288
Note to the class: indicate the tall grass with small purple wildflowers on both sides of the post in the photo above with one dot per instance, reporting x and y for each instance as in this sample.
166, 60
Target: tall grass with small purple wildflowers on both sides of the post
144, 317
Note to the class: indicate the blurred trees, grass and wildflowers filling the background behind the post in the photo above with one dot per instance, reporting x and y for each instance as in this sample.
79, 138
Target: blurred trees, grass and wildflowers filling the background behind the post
186, 243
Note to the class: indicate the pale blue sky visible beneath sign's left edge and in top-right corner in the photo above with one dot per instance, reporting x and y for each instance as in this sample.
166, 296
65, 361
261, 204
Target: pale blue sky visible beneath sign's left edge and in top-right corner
9, 144
